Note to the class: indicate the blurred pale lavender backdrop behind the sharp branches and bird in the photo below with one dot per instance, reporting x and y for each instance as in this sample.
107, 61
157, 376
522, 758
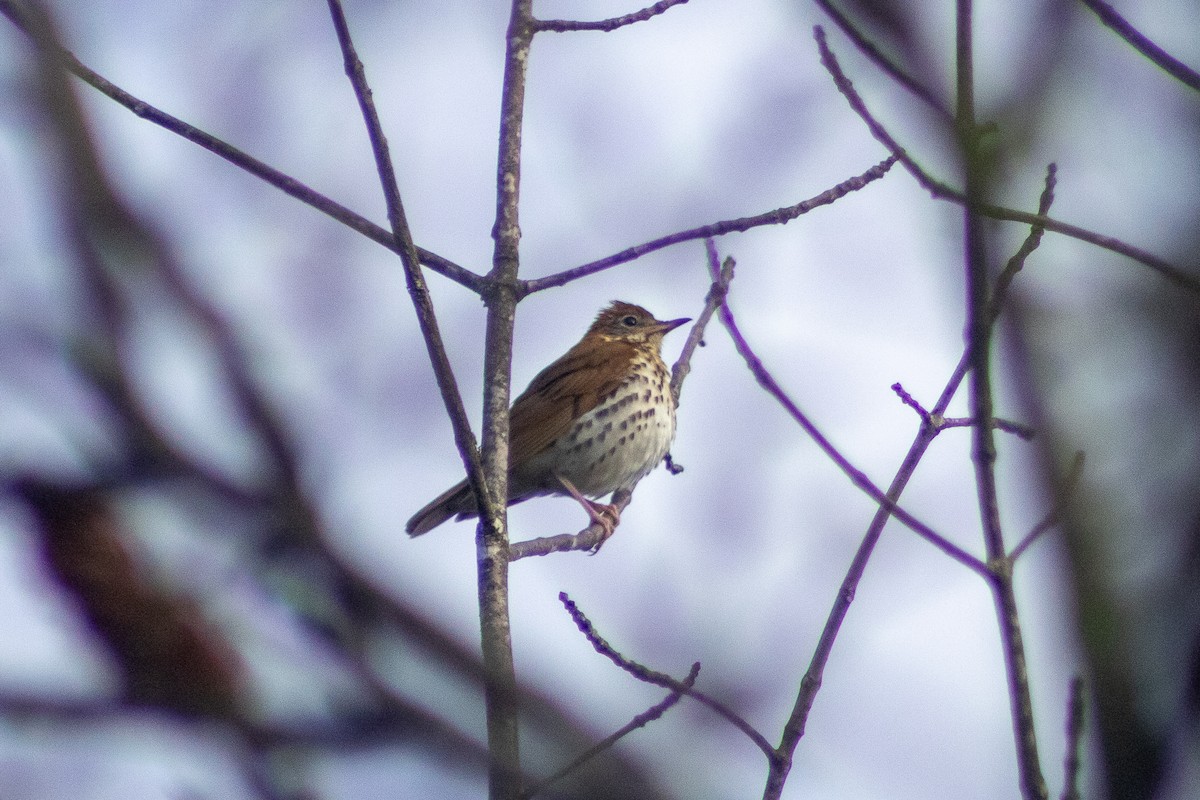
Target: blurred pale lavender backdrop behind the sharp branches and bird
137, 480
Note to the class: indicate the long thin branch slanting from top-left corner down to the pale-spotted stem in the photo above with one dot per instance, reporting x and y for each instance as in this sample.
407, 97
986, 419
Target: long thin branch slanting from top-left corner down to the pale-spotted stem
20, 17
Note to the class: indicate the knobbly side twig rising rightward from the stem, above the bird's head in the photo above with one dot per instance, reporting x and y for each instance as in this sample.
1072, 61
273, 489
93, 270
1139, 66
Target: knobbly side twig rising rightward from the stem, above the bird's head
777, 218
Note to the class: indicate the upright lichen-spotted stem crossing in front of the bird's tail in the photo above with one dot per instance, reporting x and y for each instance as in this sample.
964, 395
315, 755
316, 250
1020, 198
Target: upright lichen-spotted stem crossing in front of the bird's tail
493, 539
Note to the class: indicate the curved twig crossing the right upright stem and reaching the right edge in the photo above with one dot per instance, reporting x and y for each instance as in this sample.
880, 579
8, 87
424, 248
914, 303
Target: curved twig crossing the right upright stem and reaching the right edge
945, 193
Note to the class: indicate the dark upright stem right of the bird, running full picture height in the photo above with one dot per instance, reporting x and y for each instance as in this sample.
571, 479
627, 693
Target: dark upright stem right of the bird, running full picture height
980, 327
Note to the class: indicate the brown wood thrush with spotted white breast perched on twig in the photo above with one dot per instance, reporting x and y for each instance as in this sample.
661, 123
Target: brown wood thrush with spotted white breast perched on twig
596, 422
